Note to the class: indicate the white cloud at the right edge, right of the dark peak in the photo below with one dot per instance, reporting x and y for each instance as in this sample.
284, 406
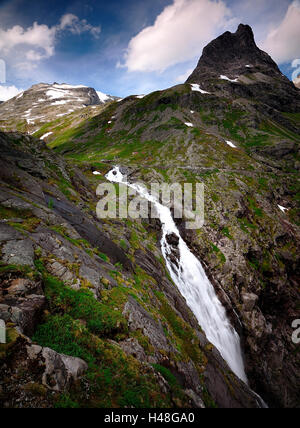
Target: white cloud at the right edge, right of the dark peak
282, 42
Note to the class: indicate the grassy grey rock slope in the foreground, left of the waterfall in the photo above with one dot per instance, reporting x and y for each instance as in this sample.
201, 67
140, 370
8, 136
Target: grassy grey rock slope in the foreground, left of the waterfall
88, 305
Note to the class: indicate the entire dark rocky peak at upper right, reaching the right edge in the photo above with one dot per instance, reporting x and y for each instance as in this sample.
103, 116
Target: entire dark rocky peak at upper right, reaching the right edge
252, 73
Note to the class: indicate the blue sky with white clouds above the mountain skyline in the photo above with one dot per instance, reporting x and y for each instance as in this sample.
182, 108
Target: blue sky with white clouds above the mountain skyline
127, 47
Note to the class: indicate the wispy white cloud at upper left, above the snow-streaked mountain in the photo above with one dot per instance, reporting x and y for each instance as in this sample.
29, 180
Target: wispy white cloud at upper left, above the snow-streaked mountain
24, 48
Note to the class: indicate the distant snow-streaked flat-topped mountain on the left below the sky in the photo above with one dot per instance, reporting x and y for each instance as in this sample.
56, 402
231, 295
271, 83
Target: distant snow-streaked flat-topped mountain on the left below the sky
43, 103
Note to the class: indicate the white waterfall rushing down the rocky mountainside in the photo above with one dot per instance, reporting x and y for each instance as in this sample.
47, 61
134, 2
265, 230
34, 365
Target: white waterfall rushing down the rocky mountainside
194, 285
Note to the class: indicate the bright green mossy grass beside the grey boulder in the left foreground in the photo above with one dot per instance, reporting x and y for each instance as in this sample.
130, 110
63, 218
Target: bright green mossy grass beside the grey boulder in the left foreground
79, 326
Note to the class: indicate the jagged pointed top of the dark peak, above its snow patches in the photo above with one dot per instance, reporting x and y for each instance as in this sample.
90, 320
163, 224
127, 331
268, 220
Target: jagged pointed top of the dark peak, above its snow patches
231, 54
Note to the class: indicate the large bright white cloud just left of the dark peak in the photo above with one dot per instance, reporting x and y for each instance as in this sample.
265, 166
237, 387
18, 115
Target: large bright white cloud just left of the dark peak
178, 34
